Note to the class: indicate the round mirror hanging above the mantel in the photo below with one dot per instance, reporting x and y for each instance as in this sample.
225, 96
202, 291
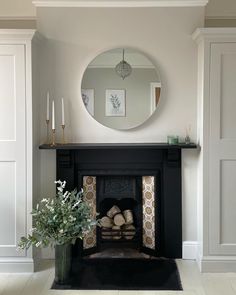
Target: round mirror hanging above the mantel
121, 88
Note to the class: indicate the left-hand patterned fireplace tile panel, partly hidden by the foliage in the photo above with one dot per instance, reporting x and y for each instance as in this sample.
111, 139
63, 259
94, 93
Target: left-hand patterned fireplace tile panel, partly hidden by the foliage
89, 186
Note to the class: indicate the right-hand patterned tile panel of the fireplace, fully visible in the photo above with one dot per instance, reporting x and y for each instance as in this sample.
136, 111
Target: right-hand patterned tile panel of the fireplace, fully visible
148, 195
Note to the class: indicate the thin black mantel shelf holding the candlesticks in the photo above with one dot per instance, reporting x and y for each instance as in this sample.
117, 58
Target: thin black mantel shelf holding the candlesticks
82, 146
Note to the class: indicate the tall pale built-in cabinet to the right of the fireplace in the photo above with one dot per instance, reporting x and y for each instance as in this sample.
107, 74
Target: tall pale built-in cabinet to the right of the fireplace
217, 137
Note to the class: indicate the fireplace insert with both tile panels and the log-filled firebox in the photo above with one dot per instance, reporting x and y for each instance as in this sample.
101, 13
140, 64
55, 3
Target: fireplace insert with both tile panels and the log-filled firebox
127, 210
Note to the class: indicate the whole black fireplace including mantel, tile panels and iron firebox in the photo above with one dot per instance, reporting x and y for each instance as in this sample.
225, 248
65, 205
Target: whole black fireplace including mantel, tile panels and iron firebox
115, 175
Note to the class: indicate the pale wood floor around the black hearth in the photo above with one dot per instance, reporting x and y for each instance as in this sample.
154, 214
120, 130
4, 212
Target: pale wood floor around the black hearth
194, 283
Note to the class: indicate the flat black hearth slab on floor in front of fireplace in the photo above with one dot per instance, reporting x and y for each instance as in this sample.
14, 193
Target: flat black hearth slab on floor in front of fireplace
123, 274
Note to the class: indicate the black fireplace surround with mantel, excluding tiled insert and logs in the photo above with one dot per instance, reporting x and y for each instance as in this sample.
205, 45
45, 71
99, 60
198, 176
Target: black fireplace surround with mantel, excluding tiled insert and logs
74, 161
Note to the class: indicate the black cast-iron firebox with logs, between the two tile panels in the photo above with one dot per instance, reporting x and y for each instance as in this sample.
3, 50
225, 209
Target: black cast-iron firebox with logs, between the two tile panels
119, 205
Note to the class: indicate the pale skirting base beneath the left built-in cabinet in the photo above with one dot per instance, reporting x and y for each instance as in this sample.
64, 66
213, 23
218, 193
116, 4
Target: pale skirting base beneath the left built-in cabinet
17, 265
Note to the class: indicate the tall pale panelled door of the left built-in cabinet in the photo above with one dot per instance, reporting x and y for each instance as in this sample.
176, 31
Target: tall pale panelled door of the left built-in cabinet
12, 149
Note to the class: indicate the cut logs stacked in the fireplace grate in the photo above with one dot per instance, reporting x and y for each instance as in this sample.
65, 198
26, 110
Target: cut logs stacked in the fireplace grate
116, 224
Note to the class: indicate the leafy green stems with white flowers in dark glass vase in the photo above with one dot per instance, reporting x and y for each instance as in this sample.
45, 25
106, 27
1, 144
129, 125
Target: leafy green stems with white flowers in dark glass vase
59, 222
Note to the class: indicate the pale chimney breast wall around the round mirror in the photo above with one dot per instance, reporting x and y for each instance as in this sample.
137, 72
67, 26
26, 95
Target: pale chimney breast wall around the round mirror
165, 38
